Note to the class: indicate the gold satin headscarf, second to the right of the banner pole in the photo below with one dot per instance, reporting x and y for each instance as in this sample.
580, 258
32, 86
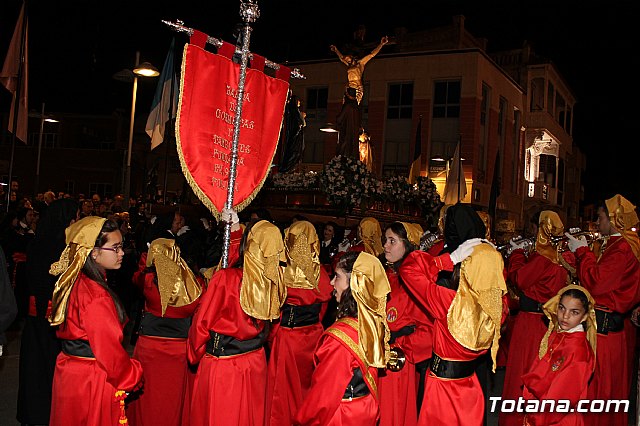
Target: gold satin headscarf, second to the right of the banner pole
302, 249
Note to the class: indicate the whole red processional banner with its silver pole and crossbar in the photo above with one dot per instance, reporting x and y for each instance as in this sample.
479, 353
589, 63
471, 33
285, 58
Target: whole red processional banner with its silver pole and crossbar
229, 118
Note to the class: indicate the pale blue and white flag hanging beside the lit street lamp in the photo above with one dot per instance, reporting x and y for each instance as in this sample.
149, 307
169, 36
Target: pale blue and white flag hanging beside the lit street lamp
164, 100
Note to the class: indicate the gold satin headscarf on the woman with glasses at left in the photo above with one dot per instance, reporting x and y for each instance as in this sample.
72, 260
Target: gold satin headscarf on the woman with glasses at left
81, 238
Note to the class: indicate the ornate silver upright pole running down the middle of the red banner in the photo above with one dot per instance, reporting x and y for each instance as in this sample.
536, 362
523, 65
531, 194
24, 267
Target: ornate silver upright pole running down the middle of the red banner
249, 12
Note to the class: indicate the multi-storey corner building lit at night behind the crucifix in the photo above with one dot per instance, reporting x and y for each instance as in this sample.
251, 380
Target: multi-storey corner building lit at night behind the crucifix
510, 112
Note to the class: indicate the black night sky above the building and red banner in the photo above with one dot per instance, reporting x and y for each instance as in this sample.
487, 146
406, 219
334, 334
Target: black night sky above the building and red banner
76, 47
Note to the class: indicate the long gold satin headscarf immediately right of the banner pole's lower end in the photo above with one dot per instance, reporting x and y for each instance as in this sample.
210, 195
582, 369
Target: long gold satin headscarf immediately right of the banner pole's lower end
263, 292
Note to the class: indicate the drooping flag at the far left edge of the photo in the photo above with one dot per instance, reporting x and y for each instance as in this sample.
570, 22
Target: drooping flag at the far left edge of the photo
14, 76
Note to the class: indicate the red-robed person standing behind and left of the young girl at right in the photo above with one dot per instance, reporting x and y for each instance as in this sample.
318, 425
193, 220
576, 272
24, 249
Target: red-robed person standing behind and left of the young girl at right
536, 279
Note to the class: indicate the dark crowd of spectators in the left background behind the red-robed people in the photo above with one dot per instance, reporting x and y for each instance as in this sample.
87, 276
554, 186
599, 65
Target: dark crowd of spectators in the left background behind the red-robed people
199, 235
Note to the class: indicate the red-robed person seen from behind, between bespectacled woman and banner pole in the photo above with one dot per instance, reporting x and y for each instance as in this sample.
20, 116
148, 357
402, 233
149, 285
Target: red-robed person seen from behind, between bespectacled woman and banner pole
171, 292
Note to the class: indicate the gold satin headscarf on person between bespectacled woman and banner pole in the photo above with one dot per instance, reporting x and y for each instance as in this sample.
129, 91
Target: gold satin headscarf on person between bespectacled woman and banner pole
177, 284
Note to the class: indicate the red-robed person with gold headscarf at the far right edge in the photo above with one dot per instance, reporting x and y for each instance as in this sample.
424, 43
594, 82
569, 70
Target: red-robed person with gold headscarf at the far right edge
611, 273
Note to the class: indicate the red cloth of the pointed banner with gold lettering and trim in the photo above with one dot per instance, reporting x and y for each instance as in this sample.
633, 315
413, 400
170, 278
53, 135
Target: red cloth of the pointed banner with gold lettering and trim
205, 126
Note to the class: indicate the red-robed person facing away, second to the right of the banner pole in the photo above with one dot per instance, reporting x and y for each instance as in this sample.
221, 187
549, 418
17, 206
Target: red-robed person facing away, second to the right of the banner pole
295, 336
